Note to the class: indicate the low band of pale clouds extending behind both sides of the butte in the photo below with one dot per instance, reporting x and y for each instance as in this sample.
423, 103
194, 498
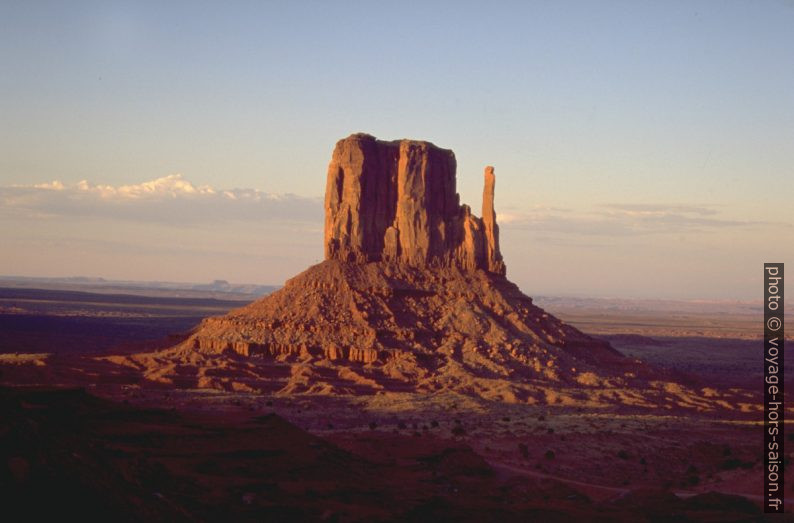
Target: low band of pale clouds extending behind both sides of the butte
175, 200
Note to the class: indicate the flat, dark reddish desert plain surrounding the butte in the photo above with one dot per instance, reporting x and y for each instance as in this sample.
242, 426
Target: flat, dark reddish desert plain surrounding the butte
200, 454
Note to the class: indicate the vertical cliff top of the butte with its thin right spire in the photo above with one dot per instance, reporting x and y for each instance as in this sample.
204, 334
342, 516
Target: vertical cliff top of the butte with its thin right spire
397, 201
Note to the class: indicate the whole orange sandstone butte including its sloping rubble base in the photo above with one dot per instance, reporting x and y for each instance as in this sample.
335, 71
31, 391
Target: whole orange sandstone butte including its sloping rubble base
412, 296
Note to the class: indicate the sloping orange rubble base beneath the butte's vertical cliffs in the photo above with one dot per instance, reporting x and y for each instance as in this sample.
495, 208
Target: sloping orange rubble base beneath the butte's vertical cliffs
397, 327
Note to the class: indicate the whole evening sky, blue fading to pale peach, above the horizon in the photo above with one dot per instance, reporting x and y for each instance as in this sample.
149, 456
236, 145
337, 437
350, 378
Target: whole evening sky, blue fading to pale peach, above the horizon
630, 138
